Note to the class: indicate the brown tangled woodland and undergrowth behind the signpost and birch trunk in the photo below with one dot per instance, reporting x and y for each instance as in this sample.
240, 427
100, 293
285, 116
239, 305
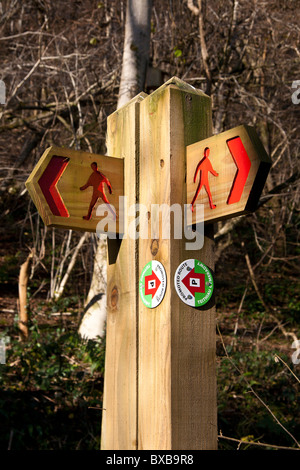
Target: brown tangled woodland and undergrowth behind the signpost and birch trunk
61, 64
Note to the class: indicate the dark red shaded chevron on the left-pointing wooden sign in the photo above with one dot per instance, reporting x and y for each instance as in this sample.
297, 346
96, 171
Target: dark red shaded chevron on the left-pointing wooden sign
48, 181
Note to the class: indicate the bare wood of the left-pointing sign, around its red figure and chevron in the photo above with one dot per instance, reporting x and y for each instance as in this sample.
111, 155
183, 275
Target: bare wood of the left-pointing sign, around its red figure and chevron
74, 176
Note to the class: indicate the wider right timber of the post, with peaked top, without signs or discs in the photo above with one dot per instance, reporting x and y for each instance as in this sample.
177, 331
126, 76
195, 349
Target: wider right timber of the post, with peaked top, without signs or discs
177, 406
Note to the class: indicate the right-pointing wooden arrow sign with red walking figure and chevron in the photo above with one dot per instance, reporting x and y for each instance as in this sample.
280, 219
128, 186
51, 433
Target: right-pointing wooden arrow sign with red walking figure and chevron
226, 173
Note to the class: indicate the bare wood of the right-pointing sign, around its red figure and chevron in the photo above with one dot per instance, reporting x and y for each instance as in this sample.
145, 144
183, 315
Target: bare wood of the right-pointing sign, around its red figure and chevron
223, 163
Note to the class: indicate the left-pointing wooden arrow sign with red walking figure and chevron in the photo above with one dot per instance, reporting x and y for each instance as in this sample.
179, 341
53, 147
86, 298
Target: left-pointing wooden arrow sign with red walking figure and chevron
75, 190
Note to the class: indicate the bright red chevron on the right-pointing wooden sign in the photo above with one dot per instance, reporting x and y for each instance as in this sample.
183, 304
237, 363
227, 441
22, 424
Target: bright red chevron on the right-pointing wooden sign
243, 163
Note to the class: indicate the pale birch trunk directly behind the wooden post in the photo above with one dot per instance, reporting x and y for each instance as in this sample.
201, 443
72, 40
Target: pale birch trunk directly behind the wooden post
133, 76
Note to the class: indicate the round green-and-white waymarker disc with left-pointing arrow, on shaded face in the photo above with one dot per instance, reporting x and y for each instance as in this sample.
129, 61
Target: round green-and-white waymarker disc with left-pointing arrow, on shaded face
194, 283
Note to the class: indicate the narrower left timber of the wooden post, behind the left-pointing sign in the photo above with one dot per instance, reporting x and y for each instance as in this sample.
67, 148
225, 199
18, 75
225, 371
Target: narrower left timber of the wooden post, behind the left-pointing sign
119, 422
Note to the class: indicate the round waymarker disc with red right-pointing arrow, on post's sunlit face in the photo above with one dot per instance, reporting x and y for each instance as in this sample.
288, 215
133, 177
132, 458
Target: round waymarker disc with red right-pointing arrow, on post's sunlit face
153, 284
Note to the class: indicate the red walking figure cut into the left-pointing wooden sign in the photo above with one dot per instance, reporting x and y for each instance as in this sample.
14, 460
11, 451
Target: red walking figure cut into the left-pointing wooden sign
97, 180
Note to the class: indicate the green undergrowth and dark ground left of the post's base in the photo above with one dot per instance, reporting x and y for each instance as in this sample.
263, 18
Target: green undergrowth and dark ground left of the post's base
51, 391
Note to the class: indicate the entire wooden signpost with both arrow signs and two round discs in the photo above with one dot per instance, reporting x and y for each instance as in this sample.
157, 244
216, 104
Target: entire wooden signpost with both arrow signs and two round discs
160, 388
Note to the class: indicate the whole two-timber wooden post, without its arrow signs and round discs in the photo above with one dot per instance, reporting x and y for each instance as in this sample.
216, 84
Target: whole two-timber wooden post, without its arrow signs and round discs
160, 373
